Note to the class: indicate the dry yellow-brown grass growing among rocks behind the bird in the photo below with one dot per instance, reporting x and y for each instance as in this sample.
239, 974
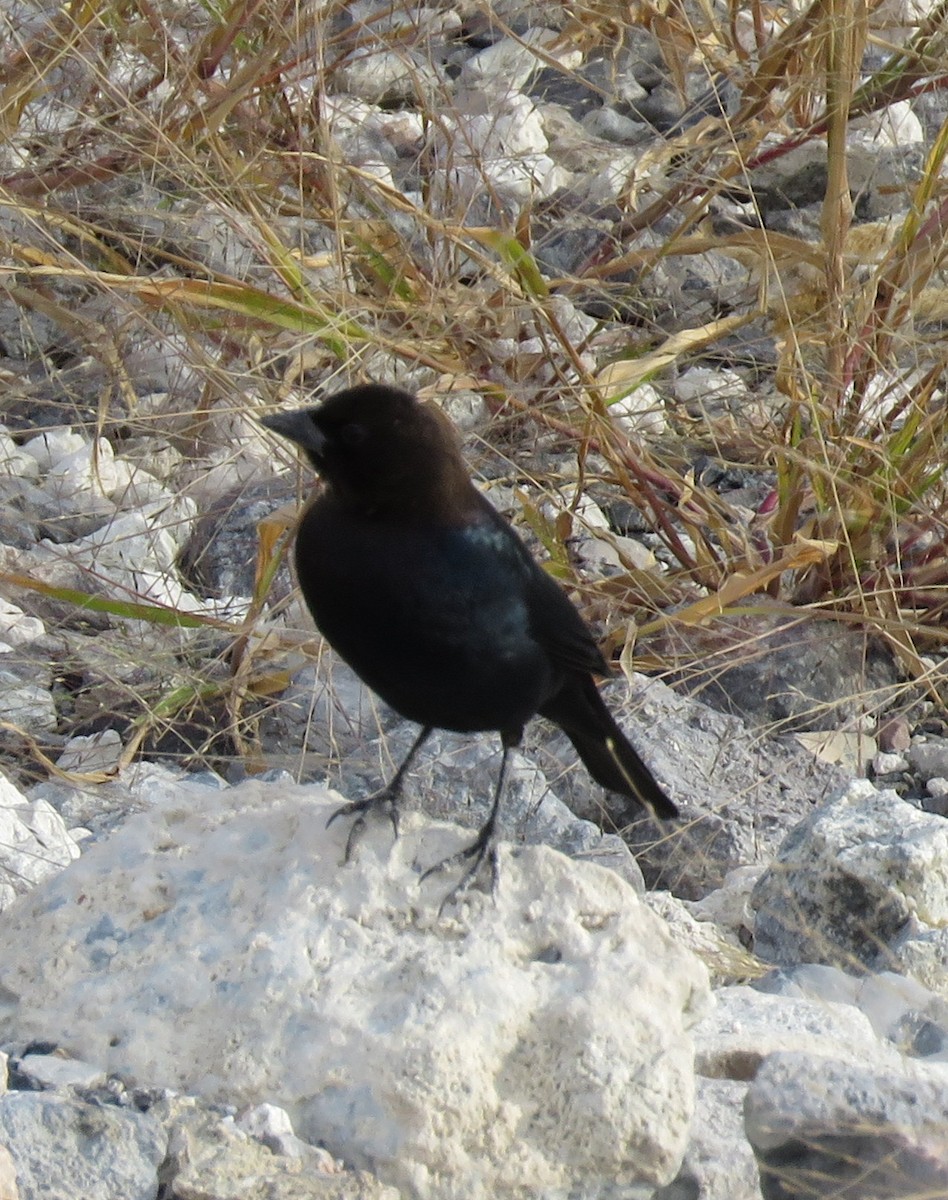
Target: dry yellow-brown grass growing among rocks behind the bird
165, 129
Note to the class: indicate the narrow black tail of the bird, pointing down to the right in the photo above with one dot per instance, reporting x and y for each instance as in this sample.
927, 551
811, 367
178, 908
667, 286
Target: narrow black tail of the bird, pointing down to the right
605, 751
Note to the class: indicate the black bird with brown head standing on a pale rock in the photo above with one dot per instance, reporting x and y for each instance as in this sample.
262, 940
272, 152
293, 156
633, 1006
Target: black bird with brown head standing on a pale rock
436, 603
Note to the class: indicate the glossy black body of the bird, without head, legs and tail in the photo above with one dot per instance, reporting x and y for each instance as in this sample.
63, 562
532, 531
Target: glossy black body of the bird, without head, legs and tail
453, 643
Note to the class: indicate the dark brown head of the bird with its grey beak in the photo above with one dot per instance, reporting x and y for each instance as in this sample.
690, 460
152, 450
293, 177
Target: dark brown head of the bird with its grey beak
380, 448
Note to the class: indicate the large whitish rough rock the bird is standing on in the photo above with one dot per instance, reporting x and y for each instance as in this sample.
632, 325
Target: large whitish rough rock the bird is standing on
527, 1045
